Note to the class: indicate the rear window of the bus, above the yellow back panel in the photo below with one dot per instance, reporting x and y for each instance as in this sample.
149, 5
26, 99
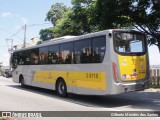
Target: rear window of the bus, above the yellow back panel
126, 42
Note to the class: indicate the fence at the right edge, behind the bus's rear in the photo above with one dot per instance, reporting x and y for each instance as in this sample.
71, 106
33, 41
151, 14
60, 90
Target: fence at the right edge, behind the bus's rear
155, 77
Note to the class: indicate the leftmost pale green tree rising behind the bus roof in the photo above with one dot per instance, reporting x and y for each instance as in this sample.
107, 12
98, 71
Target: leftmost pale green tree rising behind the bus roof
54, 14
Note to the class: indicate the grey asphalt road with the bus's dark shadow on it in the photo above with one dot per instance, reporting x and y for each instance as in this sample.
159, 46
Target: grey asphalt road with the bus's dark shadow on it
15, 98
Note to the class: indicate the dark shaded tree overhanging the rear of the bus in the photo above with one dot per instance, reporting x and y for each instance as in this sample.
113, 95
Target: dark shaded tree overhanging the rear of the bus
142, 14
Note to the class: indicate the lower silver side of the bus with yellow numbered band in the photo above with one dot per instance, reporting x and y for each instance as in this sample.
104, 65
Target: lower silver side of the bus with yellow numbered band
75, 79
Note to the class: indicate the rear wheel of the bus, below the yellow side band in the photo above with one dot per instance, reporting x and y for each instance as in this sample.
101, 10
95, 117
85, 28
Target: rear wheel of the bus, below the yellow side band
61, 88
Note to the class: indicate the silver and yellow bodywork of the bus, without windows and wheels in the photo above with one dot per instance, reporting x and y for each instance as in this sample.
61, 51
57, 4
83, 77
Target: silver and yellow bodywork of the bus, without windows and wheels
88, 79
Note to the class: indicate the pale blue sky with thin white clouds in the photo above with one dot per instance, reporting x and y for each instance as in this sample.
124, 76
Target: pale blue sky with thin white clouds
14, 14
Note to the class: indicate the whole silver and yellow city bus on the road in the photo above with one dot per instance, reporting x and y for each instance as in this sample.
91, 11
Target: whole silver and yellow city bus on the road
102, 63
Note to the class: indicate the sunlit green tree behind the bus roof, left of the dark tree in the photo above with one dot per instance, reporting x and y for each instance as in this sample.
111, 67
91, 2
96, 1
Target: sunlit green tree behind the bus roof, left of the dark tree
77, 20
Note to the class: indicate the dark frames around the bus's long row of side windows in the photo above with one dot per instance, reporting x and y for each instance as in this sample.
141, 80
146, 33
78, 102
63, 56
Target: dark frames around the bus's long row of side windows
58, 45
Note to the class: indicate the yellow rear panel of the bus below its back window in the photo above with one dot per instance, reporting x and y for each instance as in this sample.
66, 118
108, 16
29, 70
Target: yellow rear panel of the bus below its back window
137, 67
